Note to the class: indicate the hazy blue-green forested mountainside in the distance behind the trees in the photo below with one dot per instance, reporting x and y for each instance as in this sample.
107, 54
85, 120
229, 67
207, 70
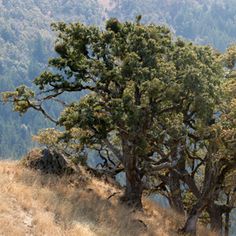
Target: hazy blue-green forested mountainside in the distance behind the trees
27, 42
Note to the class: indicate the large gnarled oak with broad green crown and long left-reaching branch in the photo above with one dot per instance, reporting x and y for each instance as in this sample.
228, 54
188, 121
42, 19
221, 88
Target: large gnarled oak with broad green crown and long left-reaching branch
143, 87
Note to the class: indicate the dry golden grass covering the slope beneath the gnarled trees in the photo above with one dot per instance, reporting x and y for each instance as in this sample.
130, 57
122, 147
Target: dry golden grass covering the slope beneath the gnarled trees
32, 204
